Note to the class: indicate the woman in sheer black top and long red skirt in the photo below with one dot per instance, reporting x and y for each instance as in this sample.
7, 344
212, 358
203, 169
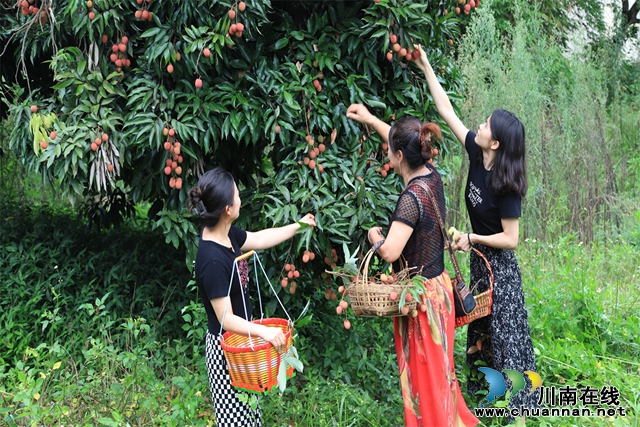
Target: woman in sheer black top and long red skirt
424, 340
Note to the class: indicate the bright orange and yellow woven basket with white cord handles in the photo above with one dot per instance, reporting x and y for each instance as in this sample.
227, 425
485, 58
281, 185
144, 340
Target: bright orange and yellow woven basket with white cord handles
253, 363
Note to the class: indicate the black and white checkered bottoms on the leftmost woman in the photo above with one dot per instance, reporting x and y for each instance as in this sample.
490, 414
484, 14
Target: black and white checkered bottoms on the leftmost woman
230, 412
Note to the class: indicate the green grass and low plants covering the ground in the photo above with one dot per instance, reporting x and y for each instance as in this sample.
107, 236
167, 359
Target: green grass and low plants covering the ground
584, 324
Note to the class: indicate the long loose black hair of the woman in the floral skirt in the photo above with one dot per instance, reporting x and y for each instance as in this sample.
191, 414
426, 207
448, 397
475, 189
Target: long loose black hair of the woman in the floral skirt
509, 172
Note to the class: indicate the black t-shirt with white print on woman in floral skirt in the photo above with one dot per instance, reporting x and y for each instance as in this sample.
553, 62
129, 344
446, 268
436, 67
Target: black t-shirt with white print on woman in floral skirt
486, 208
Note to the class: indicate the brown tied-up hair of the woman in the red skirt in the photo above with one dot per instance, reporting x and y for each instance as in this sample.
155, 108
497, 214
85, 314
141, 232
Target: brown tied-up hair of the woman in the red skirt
413, 138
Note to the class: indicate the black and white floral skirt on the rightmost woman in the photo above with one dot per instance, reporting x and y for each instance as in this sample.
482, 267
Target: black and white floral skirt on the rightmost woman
505, 340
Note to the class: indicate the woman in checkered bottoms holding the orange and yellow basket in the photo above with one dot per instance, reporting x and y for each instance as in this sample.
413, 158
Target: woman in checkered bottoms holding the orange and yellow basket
217, 203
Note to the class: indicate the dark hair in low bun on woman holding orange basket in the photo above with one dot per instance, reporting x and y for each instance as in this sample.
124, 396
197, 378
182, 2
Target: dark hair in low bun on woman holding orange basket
215, 191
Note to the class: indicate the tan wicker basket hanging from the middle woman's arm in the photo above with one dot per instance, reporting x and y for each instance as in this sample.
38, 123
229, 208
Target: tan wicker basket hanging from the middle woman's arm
370, 297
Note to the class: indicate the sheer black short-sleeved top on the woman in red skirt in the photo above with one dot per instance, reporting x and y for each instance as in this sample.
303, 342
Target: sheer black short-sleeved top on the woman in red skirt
425, 248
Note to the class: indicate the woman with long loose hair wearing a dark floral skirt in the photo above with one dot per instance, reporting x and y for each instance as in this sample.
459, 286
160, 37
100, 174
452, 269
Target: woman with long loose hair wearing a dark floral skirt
495, 186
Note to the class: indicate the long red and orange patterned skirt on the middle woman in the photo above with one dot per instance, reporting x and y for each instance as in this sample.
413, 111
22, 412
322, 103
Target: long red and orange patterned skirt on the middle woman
424, 346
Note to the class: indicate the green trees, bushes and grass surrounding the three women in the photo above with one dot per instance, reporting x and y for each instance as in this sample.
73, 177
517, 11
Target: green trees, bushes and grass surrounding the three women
101, 320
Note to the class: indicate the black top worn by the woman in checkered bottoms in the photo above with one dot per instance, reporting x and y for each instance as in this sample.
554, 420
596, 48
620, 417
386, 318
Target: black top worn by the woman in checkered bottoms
214, 263
